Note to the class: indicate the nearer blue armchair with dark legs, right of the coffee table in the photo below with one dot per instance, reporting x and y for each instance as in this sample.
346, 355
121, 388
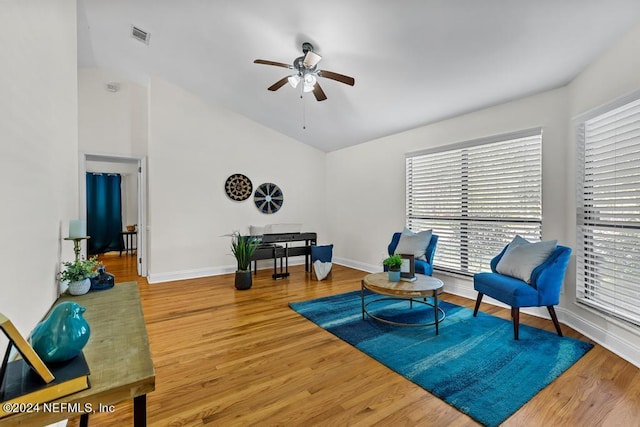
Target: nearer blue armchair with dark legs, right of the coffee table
544, 289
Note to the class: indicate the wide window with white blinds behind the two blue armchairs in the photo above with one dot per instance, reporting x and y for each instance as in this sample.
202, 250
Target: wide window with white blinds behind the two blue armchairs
476, 196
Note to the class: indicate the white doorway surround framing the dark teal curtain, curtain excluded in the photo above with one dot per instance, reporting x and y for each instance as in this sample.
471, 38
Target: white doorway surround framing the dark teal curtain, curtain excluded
133, 171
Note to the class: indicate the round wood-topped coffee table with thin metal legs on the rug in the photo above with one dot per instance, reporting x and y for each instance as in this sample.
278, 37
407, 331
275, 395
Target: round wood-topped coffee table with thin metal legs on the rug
416, 291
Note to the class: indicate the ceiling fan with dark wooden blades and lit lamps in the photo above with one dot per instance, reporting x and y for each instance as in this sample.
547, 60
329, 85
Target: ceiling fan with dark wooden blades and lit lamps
306, 71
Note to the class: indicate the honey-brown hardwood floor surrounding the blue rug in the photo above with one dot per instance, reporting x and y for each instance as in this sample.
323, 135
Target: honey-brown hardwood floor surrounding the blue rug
225, 357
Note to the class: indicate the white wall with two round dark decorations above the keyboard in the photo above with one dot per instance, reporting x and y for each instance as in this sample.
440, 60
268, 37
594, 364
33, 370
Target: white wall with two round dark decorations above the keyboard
193, 148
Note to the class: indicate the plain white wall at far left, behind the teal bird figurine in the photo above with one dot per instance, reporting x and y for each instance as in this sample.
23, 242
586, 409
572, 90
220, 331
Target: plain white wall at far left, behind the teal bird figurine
38, 160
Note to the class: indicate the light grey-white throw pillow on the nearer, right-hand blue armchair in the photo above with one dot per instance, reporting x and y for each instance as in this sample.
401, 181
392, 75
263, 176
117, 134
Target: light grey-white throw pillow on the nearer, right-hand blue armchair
522, 257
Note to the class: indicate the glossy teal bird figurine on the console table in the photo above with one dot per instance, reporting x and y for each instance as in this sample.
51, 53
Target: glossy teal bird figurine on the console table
62, 335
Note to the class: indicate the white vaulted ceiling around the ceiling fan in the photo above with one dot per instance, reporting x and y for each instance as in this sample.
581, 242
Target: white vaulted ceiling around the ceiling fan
414, 61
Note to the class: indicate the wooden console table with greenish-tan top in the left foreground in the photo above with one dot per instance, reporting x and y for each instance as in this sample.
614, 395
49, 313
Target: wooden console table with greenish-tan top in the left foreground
117, 354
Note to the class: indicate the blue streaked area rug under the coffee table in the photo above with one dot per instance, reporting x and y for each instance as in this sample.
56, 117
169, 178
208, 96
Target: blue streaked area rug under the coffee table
474, 364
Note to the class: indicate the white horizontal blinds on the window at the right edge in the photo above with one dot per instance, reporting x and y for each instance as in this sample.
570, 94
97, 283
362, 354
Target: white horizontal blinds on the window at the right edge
608, 212
